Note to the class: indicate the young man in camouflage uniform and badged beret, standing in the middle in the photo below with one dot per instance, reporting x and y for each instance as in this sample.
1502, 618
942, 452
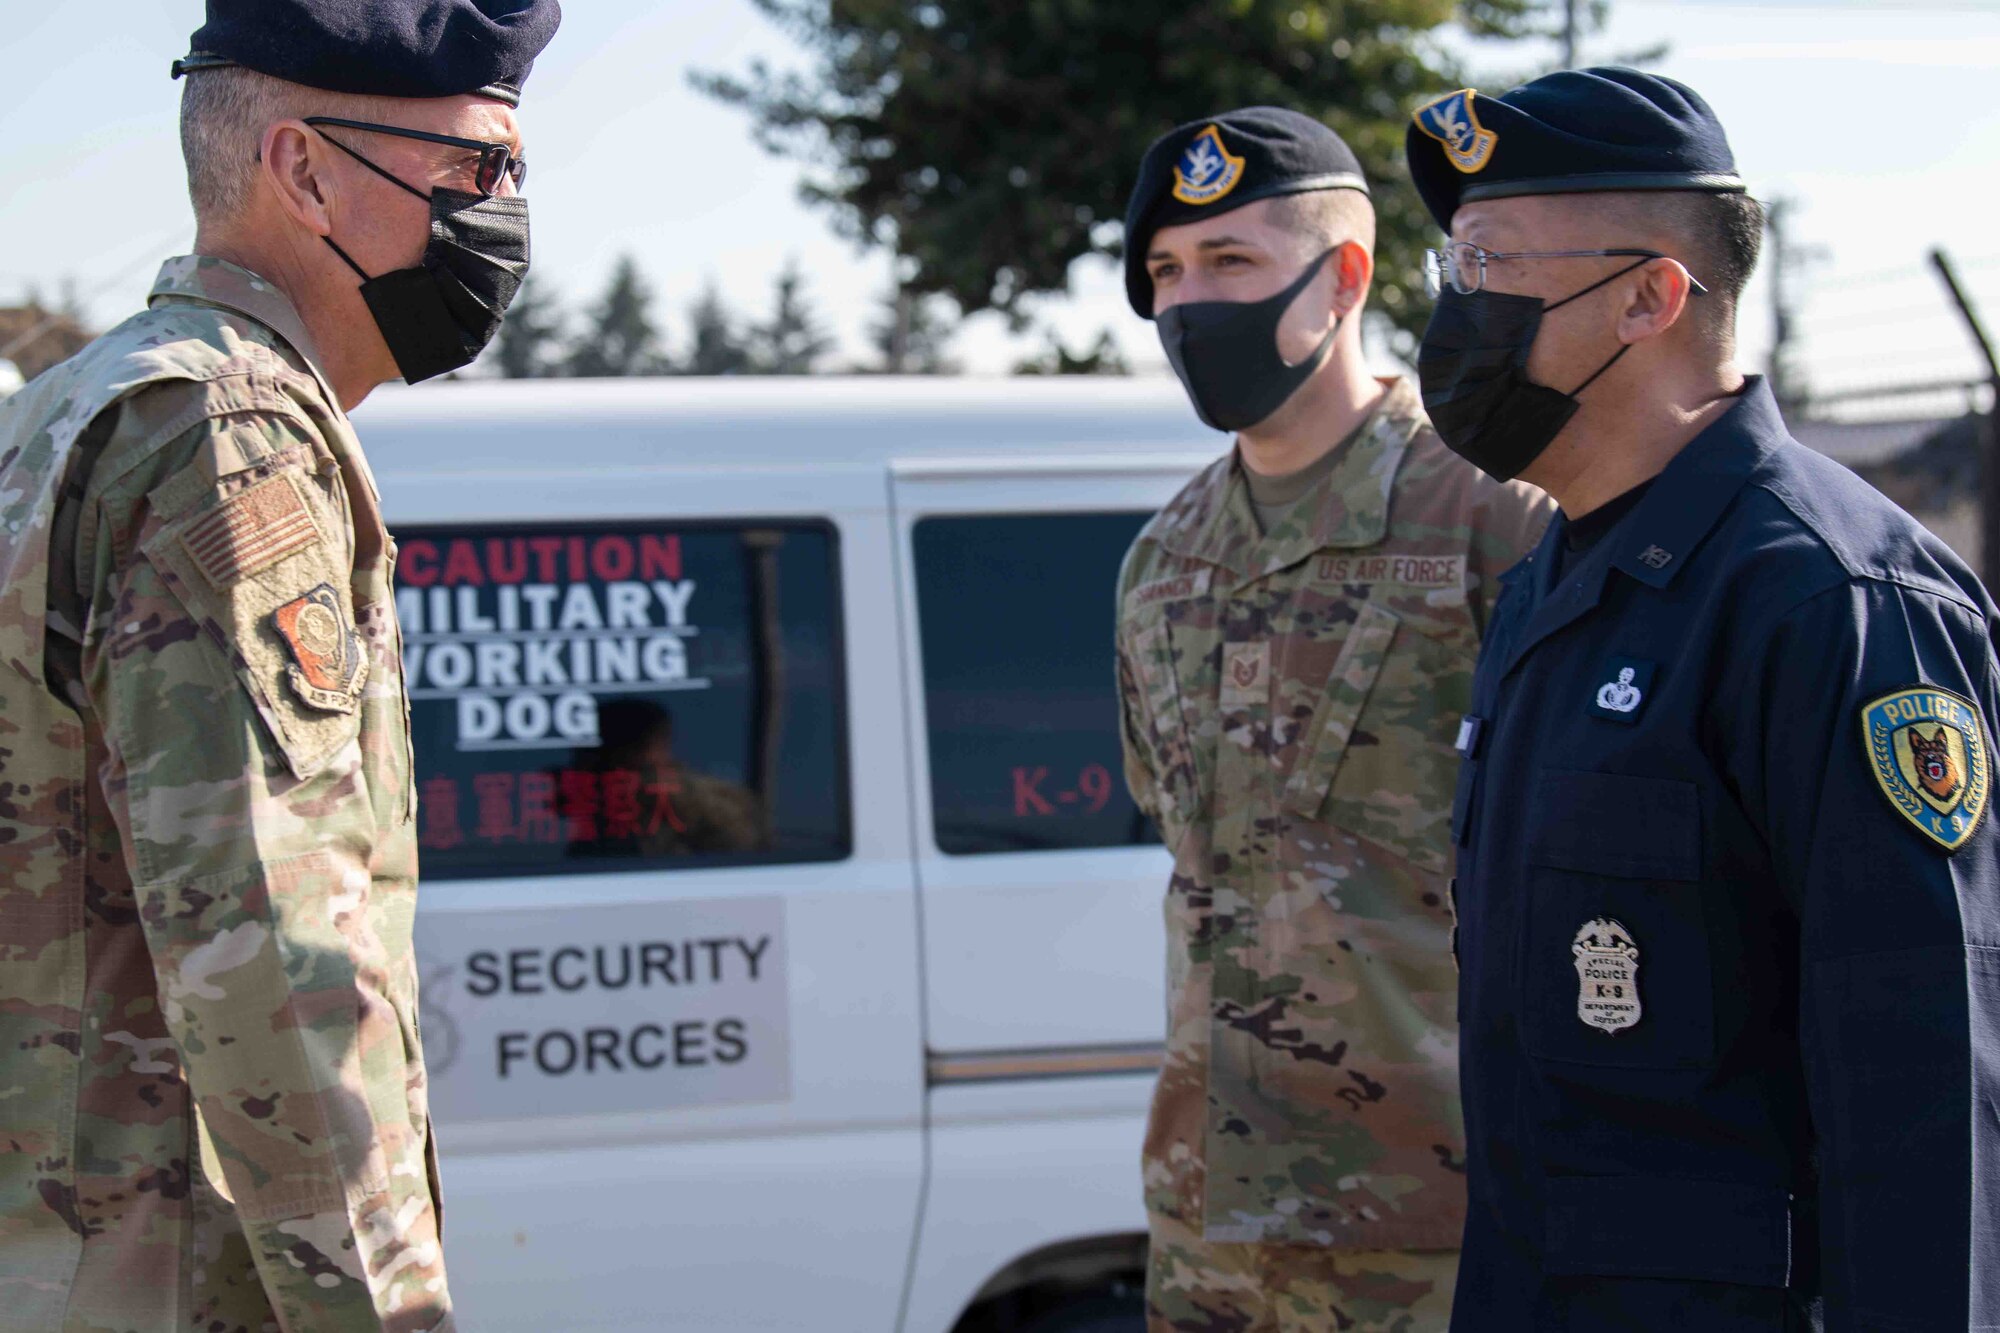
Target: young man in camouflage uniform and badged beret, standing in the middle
1295, 639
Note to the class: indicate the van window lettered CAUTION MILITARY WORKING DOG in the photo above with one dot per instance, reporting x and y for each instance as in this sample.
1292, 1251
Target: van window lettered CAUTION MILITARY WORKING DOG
613, 698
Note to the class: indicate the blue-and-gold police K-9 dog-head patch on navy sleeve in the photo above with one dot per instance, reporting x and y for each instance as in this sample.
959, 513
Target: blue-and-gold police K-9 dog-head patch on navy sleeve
1929, 756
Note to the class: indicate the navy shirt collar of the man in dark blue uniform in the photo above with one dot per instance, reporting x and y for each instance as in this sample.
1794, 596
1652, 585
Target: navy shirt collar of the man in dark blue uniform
1697, 487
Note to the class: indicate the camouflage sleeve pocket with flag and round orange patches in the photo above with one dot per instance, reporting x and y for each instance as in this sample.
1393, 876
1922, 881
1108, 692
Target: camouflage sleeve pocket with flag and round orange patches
261, 567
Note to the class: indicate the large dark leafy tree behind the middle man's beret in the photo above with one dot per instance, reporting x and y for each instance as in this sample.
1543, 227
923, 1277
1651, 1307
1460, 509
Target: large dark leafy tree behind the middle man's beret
993, 145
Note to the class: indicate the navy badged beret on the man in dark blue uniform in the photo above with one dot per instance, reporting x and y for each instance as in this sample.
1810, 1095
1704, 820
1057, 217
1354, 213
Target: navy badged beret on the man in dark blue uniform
1571, 133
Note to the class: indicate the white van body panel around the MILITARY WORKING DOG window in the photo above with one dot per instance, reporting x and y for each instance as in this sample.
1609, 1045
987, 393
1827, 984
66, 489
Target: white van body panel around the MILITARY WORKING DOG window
797, 1206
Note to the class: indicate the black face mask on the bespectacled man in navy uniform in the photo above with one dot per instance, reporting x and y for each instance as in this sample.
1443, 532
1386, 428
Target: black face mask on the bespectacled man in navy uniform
1473, 369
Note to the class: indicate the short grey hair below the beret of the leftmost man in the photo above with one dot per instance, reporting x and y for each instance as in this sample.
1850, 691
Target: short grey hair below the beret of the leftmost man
223, 121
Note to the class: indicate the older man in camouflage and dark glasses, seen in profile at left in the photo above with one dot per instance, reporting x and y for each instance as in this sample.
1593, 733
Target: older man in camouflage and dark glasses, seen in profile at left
211, 1090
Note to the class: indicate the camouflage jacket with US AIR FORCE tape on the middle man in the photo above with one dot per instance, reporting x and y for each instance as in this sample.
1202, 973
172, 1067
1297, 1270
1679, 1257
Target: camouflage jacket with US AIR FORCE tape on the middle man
1291, 704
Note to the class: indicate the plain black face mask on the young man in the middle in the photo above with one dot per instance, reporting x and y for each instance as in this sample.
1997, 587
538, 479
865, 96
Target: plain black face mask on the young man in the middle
1227, 355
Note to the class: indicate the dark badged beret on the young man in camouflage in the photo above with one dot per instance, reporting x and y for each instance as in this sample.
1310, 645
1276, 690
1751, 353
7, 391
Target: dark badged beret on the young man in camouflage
1211, 167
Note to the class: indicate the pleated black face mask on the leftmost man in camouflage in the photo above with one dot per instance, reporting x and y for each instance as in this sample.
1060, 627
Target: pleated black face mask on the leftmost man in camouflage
443, 313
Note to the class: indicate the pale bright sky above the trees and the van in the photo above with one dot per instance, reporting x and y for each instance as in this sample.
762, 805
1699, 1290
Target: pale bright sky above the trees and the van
1879, 119
